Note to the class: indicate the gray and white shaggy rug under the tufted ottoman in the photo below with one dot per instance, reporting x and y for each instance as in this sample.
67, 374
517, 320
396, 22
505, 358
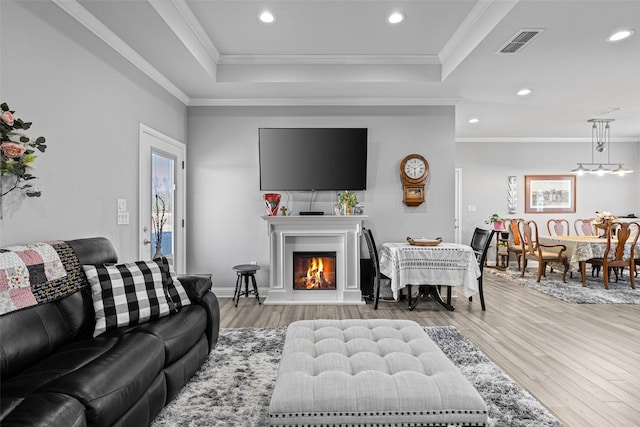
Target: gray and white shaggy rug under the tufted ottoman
233, 387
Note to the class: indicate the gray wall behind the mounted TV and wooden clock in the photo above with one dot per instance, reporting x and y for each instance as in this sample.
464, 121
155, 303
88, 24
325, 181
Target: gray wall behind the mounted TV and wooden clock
225, 202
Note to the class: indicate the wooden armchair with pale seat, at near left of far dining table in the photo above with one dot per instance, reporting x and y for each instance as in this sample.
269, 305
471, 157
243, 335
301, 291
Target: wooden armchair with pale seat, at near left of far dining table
532, 249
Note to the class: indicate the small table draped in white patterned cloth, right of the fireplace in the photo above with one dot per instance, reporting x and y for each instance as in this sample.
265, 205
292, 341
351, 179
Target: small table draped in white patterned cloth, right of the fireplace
429, 267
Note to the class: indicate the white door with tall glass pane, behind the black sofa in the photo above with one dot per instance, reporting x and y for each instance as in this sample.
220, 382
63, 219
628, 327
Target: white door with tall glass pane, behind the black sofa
162, 197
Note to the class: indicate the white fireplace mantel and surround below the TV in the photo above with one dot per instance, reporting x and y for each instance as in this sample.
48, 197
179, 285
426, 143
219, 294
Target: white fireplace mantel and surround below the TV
340, 234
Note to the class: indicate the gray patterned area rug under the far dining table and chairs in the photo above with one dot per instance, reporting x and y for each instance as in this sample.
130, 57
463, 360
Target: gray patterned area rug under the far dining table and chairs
594, 293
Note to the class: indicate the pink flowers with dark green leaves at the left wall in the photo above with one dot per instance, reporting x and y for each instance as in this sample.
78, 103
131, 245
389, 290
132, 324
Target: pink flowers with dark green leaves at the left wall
17, 153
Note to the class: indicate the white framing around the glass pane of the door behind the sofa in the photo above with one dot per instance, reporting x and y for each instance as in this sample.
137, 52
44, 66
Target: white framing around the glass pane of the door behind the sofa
152, 141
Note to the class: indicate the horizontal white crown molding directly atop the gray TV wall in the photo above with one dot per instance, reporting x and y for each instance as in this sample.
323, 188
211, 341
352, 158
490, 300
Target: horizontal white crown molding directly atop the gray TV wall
285, 102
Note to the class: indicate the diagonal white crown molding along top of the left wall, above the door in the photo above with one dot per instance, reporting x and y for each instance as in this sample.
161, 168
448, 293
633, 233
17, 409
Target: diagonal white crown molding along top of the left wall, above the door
84, 17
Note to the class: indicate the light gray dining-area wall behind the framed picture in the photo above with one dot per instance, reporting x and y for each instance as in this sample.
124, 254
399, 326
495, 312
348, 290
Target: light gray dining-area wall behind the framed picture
487, 165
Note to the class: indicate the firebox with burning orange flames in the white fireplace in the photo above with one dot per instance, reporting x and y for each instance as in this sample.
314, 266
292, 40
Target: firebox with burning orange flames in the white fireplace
314, 270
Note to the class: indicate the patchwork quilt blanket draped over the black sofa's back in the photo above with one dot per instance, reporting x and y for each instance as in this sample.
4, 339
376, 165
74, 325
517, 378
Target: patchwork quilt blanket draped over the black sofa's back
37, 273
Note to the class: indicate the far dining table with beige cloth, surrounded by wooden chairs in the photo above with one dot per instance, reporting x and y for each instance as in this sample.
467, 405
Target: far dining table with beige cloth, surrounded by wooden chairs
581, 249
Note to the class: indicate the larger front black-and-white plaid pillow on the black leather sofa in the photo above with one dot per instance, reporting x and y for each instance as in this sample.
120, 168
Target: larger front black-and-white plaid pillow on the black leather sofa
127, 294
